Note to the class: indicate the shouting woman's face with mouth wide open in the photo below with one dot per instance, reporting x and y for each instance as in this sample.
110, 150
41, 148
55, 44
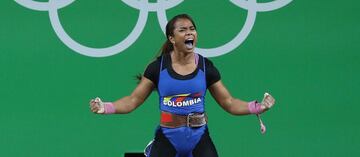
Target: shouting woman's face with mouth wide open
184, 36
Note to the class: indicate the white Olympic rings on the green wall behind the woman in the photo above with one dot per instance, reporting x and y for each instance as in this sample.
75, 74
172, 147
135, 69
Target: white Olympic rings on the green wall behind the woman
145, 7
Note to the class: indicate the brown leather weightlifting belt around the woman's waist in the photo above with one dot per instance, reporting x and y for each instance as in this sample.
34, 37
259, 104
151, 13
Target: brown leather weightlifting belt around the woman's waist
171, 120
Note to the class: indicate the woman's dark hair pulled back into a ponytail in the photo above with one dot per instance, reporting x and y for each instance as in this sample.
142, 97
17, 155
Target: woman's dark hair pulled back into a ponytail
167, 47
